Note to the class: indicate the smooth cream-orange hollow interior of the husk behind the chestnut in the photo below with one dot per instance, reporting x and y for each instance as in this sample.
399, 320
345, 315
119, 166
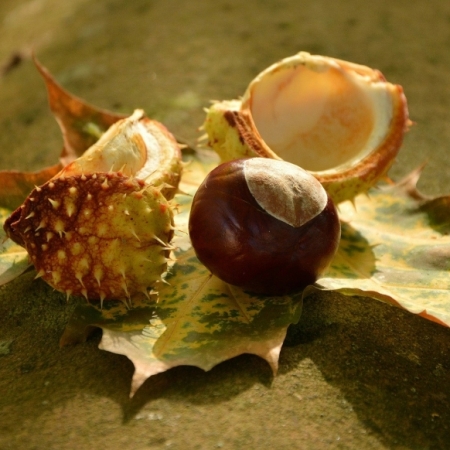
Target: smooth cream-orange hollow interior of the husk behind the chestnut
317, 114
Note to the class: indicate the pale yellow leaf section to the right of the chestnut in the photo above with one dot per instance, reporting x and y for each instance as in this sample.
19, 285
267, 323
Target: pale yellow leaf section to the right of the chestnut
395, 247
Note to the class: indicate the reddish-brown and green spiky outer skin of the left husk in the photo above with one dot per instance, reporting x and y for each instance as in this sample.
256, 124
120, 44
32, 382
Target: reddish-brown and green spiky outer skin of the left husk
103, 235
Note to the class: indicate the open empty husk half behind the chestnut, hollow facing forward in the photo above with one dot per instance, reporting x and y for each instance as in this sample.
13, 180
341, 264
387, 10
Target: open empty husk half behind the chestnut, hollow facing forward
342, 122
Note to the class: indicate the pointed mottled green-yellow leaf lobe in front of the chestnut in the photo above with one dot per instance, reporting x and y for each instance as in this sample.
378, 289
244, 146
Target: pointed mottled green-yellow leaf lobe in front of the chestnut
201, 321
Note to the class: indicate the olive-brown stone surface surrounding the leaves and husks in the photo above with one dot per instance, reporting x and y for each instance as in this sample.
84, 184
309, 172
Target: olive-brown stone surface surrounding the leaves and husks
354, 373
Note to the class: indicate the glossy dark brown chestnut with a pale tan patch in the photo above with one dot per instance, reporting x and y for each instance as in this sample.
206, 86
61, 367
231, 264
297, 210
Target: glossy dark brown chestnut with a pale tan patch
265, 225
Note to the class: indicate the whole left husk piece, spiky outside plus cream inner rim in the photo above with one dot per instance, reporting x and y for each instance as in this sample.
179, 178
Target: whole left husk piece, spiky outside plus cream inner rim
102, 227
